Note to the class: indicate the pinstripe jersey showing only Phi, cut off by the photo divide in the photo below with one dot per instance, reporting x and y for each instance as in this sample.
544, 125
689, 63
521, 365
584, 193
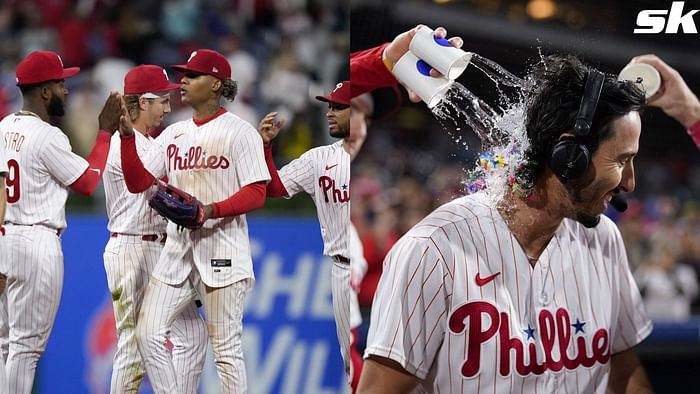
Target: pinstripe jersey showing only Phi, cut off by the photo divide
324, 173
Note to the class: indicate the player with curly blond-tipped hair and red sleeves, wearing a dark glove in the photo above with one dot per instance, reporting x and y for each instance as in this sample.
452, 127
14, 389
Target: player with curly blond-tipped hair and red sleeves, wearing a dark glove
218, 158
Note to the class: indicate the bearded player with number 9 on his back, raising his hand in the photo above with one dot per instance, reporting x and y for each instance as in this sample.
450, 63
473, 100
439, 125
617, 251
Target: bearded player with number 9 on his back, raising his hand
42, 168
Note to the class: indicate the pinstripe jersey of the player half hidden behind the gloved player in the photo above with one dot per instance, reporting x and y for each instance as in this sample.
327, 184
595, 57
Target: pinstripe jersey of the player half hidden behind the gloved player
129, 213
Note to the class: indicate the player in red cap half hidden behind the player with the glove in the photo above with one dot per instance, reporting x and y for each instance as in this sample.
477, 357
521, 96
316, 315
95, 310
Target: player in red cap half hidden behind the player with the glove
137, 238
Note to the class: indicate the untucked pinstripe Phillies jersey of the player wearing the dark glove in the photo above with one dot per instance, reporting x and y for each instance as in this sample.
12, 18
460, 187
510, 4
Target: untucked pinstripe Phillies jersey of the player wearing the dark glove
211, 162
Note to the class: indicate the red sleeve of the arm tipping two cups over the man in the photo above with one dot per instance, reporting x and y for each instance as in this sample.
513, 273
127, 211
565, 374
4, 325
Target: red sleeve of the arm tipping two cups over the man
368, 72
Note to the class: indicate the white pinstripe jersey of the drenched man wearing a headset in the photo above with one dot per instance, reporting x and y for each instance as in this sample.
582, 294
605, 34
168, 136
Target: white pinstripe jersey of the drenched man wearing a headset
547, 329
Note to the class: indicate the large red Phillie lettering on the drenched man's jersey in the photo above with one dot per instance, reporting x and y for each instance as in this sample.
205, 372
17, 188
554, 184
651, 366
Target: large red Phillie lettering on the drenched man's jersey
554, 333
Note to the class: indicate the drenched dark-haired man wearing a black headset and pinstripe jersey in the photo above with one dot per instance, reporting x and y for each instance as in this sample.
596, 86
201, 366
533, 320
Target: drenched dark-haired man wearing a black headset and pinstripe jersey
532, 292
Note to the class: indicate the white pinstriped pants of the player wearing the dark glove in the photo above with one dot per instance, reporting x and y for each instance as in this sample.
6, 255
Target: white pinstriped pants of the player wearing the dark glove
223, 308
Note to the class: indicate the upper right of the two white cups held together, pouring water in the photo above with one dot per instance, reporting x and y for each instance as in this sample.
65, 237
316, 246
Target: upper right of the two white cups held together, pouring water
439, 53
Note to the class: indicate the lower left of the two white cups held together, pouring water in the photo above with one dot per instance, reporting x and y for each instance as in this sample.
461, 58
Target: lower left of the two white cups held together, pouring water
415, 73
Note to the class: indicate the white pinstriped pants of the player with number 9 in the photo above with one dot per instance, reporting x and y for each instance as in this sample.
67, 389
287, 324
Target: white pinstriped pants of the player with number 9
33, 259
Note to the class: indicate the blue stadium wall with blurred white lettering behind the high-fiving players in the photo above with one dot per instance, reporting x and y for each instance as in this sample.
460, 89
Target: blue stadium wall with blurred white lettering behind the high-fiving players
289, 339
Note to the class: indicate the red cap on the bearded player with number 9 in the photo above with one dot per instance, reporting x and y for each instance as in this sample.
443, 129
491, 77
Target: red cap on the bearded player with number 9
42, 66
